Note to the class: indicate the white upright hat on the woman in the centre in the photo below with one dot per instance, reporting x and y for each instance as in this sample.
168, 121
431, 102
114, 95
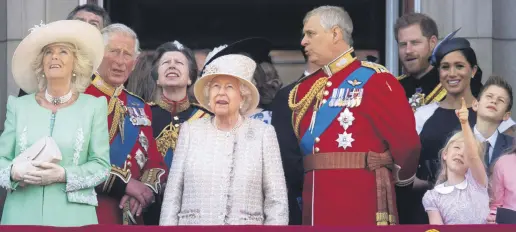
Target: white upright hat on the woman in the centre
237, 66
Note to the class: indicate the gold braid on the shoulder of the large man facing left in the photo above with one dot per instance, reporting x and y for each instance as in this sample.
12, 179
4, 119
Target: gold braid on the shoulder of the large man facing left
300, 108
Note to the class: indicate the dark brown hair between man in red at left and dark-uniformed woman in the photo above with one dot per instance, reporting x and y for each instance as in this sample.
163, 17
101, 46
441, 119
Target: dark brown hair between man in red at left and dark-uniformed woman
140, 81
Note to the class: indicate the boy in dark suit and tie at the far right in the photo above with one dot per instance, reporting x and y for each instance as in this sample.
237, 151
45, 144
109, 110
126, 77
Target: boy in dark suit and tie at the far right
493, 108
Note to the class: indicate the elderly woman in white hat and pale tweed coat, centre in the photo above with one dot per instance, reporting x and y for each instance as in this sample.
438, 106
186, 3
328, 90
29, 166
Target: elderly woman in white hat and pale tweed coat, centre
227, 168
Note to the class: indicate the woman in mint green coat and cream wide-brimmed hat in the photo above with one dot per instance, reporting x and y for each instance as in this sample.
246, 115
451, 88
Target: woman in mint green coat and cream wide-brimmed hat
55, 144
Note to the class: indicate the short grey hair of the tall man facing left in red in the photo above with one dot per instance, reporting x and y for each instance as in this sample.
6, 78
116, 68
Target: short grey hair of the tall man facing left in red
332, 16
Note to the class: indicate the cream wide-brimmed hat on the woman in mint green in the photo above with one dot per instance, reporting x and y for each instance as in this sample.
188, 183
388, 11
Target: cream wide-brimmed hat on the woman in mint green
84, 36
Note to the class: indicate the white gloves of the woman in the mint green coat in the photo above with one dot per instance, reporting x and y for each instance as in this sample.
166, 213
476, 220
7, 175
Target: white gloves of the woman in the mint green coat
50, 173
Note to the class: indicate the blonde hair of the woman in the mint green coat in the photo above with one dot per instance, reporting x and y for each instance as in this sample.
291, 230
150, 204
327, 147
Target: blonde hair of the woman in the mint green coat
83, 68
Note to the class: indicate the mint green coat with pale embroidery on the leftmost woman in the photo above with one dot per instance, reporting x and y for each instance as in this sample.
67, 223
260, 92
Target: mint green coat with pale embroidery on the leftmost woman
80, 131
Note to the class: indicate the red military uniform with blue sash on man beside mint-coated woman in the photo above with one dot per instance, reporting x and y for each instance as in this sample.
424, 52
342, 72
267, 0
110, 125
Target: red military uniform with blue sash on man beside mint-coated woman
133, 151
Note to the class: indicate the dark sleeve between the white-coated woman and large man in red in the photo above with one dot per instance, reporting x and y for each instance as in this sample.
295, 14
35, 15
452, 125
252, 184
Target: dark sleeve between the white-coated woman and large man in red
290, 153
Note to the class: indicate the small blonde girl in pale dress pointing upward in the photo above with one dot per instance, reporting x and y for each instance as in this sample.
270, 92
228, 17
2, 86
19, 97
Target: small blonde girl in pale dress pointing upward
460, 196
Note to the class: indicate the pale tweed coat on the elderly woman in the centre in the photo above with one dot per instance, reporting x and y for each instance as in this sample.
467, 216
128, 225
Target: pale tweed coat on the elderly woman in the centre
224, 178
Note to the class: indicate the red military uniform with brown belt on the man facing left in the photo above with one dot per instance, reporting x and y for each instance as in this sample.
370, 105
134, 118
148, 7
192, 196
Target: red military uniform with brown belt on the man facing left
355, 128
